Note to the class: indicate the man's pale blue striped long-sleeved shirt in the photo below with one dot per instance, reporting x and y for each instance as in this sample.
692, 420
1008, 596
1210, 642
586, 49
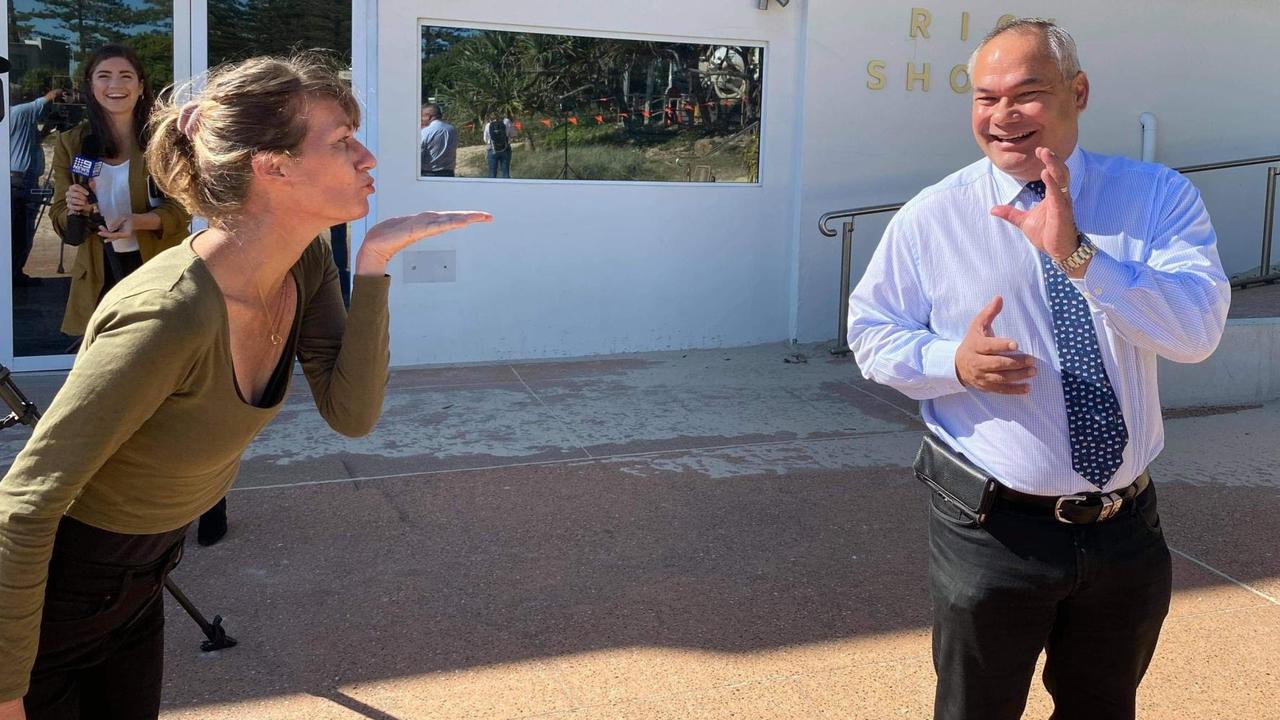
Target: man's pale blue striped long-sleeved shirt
1156, 290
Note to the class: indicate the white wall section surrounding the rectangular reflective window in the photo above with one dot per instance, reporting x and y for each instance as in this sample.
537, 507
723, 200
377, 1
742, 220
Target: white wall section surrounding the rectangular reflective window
573, 268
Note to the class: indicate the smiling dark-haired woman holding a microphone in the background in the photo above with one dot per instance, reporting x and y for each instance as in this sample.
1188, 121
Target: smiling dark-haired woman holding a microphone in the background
136, 222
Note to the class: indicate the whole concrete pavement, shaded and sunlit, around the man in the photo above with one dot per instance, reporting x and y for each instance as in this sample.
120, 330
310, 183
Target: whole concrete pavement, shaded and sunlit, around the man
679, 535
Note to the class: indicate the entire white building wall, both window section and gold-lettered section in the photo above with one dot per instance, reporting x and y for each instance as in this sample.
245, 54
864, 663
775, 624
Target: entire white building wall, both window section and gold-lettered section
575, 268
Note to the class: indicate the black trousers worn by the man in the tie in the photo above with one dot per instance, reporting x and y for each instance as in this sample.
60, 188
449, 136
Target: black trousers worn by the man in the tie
1094, 598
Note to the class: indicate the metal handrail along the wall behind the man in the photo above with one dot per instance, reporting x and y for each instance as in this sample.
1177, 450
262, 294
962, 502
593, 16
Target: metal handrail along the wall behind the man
849, 216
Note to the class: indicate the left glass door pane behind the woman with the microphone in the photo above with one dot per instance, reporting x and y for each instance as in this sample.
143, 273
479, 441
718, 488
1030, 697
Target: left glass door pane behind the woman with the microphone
47, 44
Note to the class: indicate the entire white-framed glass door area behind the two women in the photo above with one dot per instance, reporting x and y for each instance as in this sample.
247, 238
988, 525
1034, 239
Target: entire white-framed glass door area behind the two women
47, 43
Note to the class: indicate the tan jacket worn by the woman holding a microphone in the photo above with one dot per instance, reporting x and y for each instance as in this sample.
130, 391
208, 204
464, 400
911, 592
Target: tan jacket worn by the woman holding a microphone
88, 274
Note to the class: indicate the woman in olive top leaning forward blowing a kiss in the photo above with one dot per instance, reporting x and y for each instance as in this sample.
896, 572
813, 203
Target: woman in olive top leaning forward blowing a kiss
182, 364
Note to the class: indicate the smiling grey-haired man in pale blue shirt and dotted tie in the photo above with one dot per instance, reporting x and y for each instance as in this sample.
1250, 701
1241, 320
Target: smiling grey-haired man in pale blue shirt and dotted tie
1025, 300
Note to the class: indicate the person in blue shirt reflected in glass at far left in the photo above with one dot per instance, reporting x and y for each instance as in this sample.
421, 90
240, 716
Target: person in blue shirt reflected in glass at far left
26, 167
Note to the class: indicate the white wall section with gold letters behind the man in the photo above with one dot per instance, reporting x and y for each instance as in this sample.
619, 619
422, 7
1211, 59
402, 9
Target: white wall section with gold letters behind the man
1203, 69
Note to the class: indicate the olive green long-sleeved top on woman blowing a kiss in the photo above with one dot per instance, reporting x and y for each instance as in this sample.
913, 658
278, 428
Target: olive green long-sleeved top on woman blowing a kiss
149, 429
